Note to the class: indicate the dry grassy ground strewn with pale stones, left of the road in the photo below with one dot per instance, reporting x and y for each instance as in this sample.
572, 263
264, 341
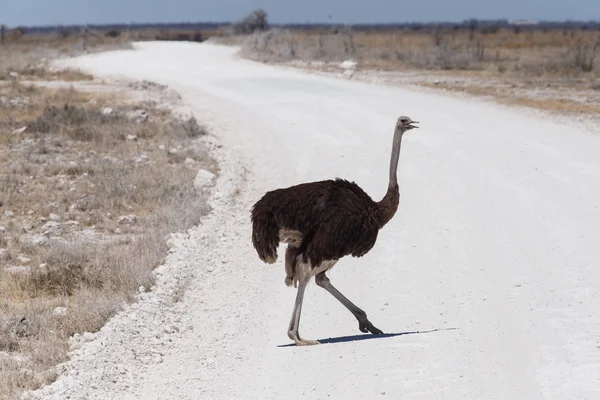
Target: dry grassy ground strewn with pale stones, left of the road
90, 185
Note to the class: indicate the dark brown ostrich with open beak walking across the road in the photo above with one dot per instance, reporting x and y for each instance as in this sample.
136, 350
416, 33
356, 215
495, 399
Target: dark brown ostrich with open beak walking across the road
322, 222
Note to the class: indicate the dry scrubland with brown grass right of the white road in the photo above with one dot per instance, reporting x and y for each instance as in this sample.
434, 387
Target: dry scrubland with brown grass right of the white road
552, 69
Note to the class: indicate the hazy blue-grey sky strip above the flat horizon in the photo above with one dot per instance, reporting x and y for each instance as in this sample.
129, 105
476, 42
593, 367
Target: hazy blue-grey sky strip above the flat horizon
71, 12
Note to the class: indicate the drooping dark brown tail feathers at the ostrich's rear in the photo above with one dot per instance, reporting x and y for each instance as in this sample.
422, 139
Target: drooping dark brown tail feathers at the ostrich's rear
265, 233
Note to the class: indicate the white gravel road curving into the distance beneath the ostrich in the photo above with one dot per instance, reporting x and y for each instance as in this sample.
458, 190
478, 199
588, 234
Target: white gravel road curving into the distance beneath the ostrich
487, 279
